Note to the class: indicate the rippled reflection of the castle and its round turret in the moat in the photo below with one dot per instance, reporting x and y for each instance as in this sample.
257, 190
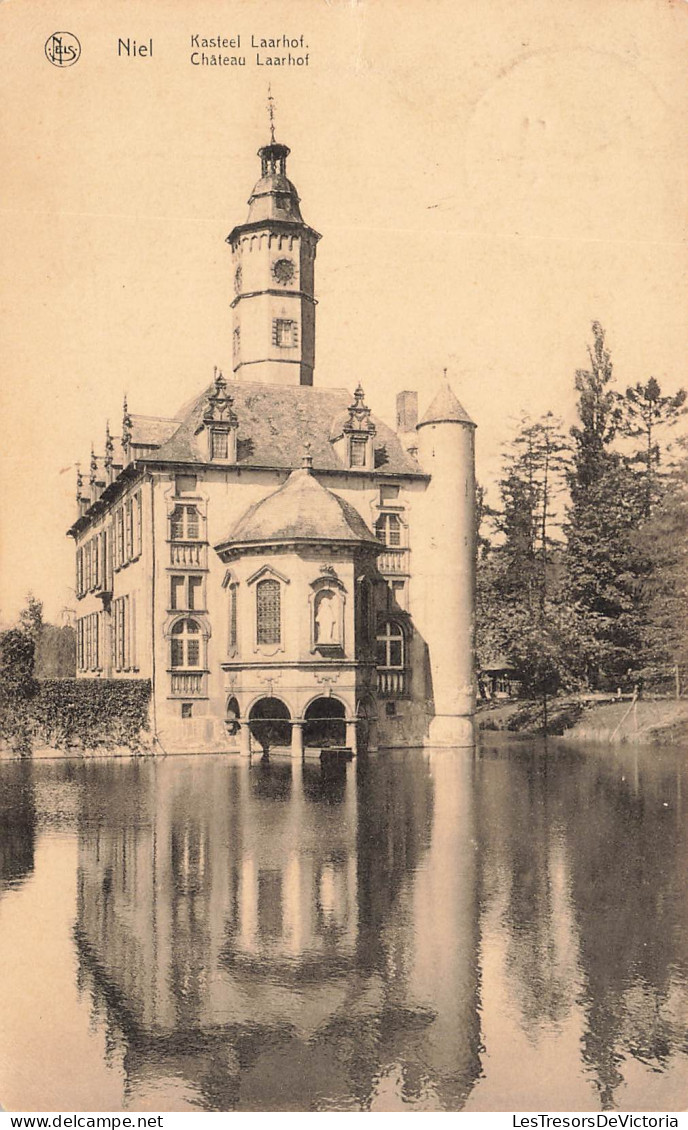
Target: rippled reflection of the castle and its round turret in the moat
281, 937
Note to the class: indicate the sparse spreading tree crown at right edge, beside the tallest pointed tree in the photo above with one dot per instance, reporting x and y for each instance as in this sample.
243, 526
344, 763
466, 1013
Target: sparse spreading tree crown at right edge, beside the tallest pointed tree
645, 414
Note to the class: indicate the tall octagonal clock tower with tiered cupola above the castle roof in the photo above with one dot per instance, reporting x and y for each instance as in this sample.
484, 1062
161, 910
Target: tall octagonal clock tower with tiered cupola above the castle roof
274, 259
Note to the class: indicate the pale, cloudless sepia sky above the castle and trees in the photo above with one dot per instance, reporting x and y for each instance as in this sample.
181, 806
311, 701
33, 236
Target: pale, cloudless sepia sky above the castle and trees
489, 178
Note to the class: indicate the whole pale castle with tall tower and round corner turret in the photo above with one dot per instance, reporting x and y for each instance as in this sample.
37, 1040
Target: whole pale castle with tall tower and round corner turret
285, 569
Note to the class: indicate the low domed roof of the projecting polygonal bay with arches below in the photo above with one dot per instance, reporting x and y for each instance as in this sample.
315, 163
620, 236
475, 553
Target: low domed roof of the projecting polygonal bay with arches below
301, 510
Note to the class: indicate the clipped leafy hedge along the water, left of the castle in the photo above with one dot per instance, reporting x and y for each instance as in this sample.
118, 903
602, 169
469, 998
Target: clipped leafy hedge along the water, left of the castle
79, 715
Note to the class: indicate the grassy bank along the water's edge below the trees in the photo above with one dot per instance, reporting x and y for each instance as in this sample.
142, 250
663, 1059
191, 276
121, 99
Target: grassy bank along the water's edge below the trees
660, 722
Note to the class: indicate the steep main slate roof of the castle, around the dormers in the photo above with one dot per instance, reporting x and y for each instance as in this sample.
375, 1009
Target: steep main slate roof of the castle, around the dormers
275, 422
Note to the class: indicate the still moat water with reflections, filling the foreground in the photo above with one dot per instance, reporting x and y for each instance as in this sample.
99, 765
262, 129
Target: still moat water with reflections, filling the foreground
413, 932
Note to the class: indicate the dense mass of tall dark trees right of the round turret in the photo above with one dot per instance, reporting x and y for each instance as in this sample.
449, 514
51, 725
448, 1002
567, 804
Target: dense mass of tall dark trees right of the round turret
582, 567
